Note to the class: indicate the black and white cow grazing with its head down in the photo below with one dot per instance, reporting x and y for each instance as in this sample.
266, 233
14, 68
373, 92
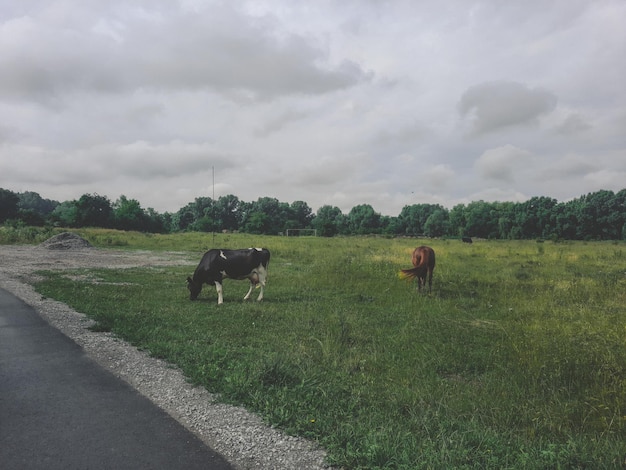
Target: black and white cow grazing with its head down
217, 265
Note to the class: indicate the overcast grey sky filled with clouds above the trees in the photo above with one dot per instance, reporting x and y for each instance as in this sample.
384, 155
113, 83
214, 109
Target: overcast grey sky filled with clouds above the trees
387, 103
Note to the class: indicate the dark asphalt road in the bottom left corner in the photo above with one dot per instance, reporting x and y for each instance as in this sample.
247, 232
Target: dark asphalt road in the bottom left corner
61, 410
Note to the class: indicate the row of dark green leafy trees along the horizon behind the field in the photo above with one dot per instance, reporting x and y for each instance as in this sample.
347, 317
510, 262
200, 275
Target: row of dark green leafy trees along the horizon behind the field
595, 216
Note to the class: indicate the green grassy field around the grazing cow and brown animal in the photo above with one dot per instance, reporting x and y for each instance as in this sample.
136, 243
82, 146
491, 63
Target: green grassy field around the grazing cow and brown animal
516, 360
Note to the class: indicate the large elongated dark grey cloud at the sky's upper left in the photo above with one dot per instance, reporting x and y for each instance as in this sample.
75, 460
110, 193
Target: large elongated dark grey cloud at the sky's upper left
182, 51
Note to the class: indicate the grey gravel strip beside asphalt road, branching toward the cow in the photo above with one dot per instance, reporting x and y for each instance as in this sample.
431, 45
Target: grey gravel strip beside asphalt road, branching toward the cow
238, 435
